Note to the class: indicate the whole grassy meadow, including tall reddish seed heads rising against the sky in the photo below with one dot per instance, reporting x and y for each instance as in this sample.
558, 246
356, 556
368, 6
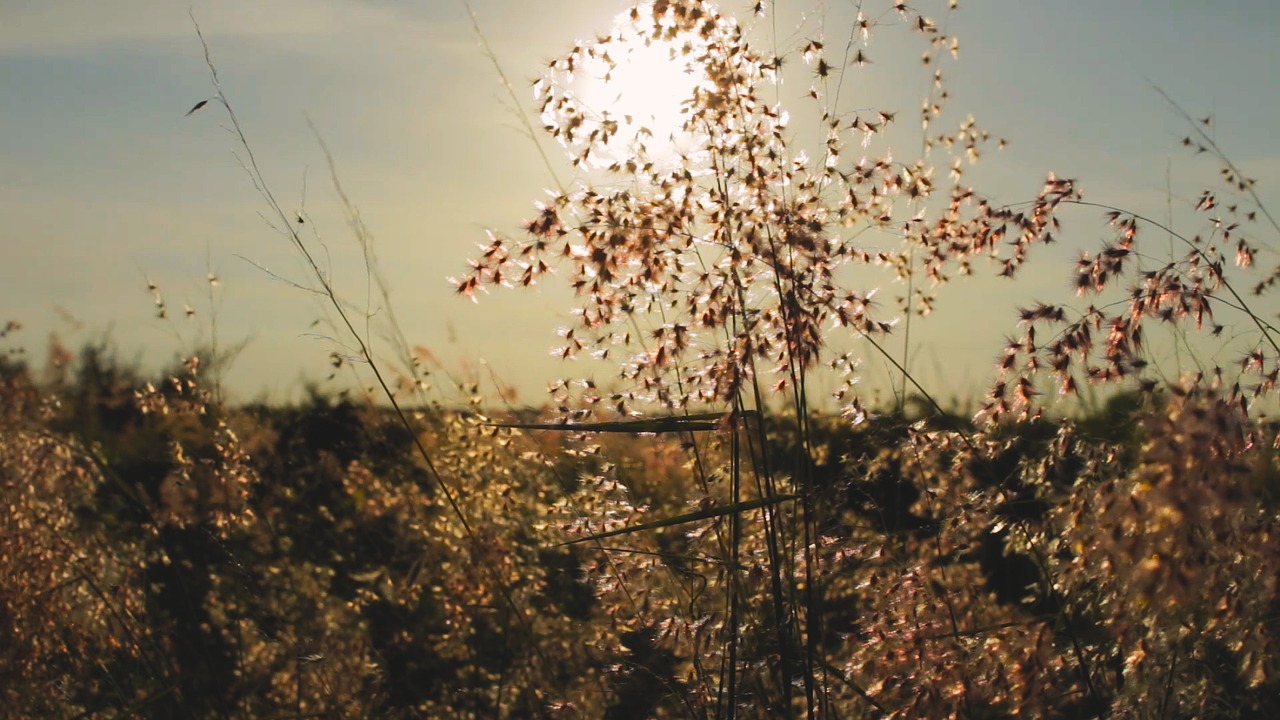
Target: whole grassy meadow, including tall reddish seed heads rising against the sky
701, 536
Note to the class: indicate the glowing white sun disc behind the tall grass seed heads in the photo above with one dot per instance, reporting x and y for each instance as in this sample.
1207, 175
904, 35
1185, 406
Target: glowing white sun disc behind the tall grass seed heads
646, 86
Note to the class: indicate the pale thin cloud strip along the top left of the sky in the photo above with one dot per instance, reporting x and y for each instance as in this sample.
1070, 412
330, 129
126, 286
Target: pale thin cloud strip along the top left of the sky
74, 28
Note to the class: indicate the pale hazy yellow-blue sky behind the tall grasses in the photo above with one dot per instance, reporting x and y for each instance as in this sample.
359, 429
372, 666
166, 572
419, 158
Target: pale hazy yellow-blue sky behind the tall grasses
108, 188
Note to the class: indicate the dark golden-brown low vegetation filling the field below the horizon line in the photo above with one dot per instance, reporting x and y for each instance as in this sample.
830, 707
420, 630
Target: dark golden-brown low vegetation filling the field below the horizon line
170, 558
